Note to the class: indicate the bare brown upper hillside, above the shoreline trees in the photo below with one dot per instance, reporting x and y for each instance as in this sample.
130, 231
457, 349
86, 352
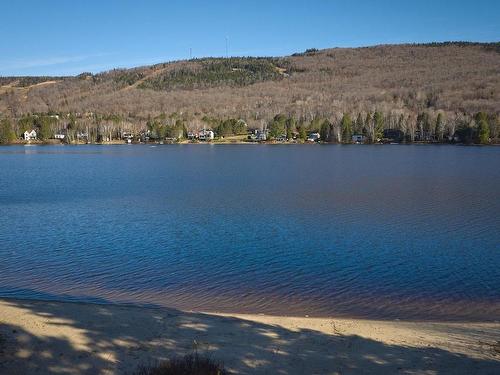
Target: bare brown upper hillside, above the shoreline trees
452, 77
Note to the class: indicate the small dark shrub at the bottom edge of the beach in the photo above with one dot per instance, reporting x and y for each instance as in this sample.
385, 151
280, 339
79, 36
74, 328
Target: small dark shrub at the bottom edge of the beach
192, 364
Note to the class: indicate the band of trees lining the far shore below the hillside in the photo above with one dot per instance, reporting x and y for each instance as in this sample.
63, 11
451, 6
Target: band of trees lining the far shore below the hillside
480, 128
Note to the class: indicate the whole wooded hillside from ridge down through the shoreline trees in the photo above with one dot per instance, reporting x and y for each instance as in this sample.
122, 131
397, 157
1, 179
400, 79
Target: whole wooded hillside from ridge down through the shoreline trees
433, 89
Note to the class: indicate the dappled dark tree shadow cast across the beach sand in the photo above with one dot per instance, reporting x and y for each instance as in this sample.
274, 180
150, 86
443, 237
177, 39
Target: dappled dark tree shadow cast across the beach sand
113, 339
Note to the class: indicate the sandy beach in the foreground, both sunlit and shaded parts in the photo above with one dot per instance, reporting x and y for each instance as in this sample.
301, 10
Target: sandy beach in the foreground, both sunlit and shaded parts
68, 338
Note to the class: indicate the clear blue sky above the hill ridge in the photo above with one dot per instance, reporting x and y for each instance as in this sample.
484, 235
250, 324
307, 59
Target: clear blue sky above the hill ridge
66, 37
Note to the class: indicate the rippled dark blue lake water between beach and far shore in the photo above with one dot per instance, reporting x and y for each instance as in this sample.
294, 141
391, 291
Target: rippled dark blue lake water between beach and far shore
409, 232
